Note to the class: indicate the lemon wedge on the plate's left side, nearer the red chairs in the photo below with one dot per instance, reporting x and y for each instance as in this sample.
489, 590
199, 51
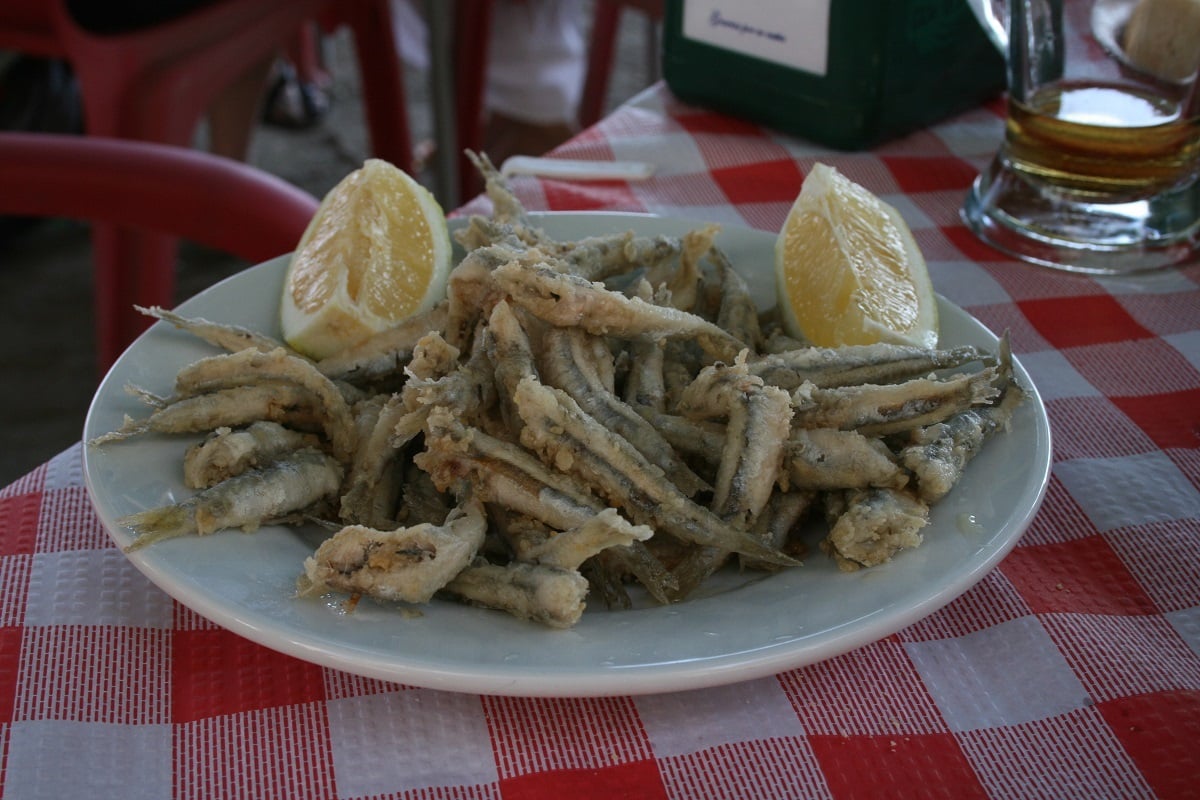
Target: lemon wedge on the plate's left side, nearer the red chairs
376, 252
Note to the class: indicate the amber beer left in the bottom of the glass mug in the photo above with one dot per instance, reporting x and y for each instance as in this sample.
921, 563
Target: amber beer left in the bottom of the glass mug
1112, 141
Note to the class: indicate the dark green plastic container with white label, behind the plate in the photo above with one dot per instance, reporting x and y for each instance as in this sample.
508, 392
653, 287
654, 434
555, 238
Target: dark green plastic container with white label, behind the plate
845, 74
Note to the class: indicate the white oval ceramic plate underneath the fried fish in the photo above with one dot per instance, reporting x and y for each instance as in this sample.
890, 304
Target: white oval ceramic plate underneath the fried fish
741, 628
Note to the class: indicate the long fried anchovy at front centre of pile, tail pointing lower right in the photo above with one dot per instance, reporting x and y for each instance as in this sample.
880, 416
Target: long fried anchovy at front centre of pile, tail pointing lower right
559, 430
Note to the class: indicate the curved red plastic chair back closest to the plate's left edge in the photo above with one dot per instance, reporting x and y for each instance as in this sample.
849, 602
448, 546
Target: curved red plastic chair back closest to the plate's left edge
187, 194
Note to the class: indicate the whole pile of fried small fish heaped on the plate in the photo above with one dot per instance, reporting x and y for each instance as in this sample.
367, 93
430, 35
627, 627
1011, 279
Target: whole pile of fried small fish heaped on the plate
608, 416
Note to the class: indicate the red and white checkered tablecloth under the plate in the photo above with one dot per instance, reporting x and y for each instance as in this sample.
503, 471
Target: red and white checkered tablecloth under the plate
1072, 671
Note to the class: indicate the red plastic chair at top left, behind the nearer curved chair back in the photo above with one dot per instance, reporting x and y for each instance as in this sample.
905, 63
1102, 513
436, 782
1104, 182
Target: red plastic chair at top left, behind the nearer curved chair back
153, 85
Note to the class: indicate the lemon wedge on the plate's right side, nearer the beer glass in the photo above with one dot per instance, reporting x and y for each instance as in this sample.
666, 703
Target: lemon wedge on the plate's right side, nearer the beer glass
849, 272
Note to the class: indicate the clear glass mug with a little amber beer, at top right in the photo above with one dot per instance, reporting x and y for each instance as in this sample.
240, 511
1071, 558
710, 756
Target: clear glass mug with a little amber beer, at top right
1100, 170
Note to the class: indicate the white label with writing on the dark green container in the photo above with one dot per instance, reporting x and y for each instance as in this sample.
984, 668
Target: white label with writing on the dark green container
793, 33
